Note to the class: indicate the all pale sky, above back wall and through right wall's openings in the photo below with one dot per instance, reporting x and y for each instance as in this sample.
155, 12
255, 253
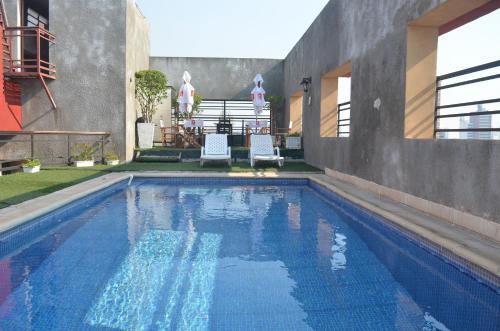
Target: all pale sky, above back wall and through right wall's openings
270, 28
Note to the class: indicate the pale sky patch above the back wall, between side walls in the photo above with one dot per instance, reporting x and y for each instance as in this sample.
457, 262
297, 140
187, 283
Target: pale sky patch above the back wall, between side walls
228, 28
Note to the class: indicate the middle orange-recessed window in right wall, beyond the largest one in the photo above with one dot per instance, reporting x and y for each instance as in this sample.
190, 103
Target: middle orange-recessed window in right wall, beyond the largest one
335, 118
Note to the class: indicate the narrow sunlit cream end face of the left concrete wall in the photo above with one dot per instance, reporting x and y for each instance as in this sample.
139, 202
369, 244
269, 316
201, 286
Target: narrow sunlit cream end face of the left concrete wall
137, 58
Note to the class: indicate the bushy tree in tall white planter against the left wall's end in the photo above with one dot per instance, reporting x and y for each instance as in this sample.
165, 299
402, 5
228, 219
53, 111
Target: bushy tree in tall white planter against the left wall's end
150, 89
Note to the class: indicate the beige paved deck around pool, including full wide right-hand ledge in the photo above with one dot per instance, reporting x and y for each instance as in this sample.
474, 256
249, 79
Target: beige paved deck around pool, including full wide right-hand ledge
466, 244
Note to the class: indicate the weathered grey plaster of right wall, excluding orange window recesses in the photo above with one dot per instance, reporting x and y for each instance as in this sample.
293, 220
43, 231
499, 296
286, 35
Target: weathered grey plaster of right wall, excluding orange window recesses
457, 173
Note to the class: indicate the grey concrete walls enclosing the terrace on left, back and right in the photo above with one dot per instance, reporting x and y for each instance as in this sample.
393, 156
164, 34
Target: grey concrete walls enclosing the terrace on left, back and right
388, 48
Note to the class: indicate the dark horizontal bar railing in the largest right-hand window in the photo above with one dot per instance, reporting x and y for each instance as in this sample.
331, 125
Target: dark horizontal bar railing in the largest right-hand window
440, 107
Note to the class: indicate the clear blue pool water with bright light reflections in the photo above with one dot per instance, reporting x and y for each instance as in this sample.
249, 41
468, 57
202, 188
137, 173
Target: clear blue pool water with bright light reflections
207, 255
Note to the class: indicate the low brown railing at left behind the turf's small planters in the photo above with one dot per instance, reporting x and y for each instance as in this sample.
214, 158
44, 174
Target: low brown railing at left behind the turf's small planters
69, 138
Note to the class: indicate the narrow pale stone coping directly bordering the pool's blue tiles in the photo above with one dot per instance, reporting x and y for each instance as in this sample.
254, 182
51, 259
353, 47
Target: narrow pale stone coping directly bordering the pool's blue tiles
31, 209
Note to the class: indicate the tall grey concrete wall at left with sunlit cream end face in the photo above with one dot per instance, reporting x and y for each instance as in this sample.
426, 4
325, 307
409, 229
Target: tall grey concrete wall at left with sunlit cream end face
96, 55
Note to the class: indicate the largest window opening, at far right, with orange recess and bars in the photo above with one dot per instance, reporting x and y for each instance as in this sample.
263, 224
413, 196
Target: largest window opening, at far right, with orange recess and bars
430, 111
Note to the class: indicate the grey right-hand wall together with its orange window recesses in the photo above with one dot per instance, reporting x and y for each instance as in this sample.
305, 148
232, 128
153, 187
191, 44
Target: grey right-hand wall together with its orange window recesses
377, 41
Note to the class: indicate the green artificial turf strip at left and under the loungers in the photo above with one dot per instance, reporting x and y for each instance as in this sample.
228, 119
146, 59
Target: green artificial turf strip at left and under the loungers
20, 187
